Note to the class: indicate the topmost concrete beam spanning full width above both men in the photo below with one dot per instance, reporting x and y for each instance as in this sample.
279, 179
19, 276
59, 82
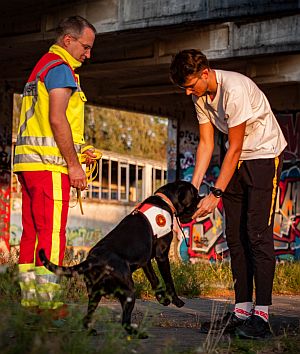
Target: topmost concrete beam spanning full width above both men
118, 15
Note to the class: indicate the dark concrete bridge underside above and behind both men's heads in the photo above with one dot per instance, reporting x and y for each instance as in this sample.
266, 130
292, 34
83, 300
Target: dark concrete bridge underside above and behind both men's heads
136, 40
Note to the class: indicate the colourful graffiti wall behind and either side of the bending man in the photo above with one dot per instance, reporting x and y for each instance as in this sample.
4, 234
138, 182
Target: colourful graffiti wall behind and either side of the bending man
206, 237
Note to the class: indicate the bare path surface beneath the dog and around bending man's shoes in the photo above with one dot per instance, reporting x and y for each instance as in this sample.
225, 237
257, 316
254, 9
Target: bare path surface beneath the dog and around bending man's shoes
170, 327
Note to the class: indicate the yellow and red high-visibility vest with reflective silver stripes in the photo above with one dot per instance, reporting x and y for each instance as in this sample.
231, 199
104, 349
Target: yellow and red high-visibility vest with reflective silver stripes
36, 149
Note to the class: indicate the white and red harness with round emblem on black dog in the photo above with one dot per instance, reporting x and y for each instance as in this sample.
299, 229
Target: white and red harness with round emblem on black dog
160, 220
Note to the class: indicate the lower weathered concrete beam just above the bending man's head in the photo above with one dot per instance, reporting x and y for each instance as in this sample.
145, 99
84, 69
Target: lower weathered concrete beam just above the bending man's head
227, 40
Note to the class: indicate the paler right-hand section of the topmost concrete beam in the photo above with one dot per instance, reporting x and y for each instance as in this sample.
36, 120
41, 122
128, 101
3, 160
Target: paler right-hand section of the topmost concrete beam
149, 13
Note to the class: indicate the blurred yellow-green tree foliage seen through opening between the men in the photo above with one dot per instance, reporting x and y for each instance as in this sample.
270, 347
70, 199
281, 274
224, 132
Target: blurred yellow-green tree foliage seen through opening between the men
126, 132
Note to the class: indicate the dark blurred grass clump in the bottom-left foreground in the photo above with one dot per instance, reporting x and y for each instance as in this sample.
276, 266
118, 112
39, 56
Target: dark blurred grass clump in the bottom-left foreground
22, 333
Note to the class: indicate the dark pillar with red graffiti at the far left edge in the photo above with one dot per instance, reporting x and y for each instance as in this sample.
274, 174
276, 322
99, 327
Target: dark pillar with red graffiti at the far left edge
6, 112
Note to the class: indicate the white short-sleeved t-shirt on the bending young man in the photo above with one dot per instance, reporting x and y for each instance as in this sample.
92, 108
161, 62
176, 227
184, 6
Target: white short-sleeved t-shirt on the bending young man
237, 100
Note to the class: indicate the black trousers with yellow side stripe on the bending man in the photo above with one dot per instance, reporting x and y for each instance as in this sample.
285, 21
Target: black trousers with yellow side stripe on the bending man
249, 203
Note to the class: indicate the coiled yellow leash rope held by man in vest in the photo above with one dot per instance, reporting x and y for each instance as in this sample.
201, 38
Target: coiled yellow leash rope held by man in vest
90, 169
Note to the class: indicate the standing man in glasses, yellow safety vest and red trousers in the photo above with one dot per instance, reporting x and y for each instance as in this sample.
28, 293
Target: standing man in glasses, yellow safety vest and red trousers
47, 162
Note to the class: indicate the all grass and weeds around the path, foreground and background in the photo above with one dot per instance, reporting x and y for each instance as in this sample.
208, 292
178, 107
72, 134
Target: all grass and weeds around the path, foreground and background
23, 333
